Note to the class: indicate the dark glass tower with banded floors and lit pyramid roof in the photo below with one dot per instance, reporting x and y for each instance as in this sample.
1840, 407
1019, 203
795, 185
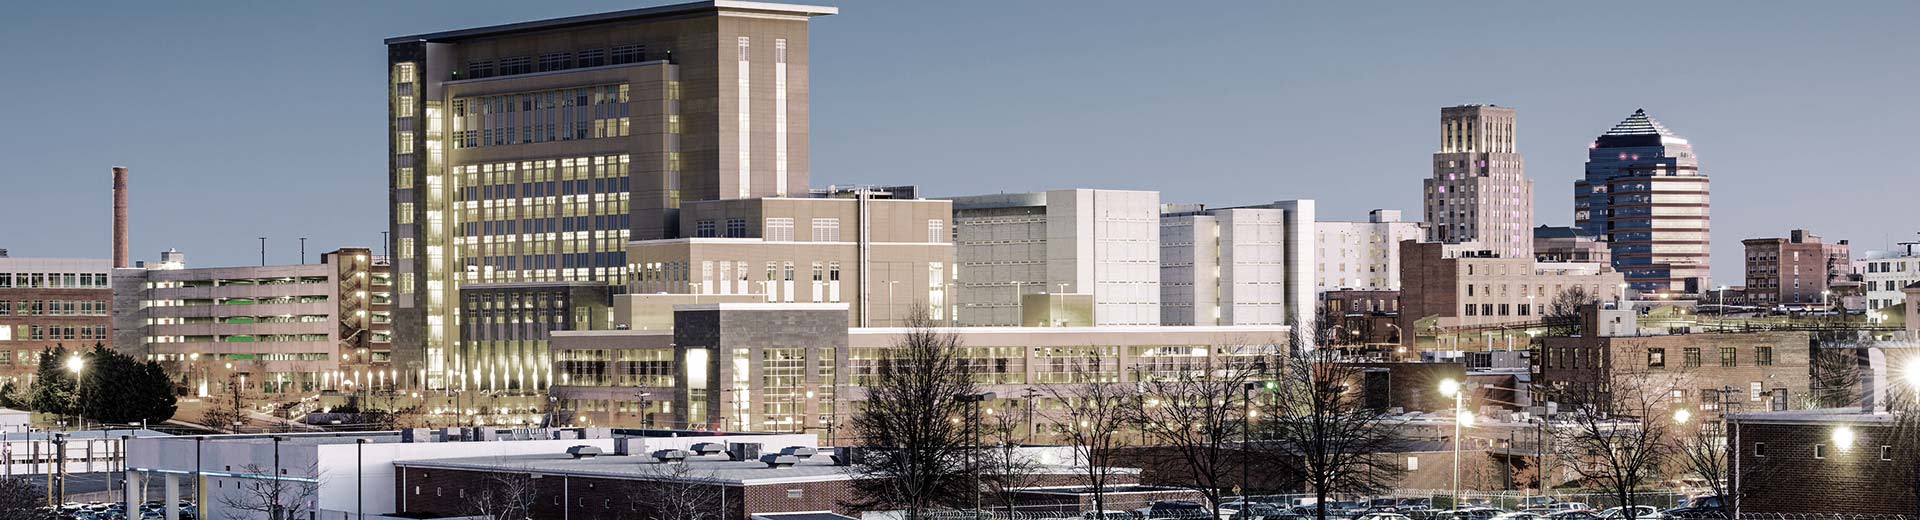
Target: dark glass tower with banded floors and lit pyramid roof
1646, 197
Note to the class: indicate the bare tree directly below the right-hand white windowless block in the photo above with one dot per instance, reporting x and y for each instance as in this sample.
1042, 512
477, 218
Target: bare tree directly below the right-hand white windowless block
1195, 415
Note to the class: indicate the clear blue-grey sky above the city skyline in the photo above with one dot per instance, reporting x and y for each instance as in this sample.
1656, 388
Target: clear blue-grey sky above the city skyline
252, 120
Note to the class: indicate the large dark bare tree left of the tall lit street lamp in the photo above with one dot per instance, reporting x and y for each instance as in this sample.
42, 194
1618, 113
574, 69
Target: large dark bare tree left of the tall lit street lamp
1316, 427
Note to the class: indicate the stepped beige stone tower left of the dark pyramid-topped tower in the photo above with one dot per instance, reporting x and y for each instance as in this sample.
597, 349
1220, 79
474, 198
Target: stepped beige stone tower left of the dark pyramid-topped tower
1479, 191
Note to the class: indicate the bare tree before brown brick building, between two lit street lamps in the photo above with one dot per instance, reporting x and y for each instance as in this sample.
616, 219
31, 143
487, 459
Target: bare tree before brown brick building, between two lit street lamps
1620, 433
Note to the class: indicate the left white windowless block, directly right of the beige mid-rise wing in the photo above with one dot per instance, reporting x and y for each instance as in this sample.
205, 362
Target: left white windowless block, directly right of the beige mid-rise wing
1101, 243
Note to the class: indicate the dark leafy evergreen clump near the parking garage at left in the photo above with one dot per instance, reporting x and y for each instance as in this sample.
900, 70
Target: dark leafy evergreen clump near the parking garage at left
116, 389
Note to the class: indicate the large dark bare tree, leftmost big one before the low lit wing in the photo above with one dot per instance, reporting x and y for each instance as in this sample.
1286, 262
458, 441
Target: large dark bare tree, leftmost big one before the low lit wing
911, 429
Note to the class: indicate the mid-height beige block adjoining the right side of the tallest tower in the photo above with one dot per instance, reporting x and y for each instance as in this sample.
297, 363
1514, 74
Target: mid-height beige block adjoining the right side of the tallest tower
882, 258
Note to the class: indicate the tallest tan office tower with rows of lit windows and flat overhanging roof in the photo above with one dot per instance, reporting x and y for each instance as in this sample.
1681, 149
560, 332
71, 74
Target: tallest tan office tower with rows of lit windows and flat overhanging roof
527, 156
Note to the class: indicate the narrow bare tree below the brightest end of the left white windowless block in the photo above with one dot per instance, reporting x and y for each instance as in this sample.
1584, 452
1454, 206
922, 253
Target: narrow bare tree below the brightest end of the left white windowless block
1092, 415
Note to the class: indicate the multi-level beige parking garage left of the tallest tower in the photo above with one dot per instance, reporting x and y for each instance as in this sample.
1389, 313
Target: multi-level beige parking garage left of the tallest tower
279, 329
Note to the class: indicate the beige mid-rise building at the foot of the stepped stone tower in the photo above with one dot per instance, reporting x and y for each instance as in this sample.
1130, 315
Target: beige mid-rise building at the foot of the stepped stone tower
1462, 287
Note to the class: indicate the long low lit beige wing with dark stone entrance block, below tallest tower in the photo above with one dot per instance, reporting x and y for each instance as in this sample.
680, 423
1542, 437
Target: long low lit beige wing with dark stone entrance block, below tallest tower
798, 367
